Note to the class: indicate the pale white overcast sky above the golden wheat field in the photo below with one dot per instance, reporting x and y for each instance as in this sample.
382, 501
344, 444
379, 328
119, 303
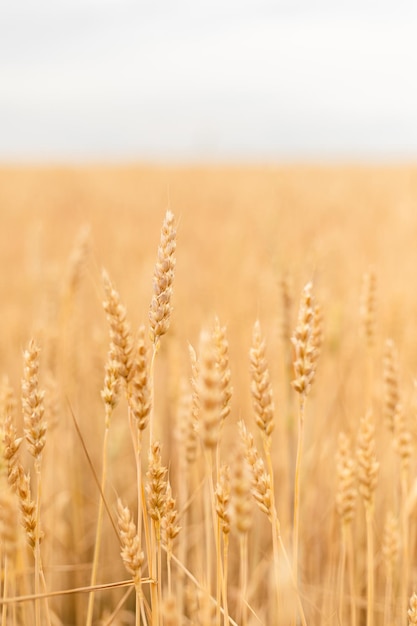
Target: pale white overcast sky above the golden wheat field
215, 80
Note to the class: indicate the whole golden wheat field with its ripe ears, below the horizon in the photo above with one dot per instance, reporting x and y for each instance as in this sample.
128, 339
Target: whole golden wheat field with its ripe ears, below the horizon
334, 538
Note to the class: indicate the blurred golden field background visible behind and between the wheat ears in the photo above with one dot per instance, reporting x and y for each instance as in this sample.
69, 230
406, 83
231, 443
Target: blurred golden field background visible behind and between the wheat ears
241, 231
